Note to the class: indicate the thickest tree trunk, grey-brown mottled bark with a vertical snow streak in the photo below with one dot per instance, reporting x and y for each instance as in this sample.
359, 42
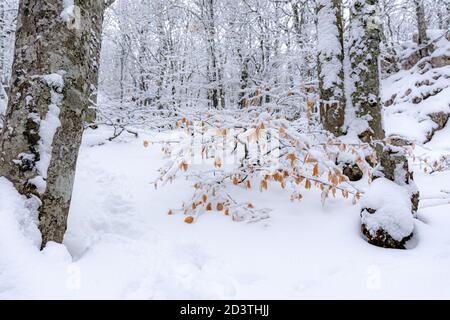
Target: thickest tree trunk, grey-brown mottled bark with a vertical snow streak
55, 72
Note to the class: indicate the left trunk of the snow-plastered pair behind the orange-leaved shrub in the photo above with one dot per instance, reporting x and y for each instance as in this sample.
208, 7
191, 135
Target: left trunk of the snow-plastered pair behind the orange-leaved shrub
330, 65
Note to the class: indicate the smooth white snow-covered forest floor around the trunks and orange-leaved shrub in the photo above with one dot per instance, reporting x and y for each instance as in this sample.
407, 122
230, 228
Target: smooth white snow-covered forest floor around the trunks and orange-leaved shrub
121, 243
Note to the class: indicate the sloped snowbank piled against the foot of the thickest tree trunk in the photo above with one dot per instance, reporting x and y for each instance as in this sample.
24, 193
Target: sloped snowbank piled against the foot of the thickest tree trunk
22, 265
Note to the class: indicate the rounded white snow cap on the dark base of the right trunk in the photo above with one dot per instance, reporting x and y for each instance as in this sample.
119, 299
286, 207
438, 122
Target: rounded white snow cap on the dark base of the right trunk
392, 205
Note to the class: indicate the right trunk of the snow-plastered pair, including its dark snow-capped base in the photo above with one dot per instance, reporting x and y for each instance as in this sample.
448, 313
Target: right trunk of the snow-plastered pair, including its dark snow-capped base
392, 161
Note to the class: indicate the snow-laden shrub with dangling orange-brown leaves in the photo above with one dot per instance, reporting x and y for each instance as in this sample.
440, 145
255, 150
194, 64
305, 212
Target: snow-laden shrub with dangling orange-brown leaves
250, 149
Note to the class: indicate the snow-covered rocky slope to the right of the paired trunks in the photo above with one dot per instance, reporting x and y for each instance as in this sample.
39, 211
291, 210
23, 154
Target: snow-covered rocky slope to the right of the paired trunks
413, 95
